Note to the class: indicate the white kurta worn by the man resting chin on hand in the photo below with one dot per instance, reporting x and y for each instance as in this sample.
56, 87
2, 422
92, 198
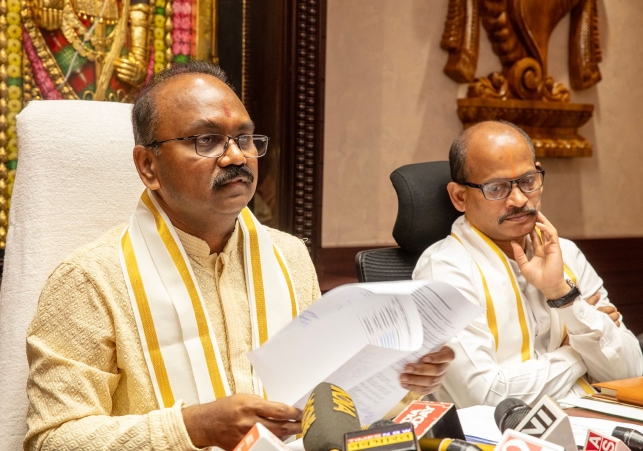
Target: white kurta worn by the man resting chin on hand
482, 373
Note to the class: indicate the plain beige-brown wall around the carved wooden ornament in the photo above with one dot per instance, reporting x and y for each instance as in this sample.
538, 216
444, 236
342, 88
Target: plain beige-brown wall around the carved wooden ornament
389, 104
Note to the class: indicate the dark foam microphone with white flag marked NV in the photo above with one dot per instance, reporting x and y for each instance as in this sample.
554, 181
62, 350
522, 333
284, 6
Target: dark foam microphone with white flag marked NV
546, 421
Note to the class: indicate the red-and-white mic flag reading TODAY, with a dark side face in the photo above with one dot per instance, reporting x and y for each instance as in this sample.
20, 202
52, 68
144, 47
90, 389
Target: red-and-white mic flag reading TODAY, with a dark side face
432, 419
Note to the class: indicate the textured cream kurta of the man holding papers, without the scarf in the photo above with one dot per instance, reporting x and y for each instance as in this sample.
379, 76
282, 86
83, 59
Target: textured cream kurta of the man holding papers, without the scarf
89, 386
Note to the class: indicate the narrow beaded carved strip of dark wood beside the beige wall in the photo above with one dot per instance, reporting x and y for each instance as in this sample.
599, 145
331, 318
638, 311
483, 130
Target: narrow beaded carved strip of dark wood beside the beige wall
305, 118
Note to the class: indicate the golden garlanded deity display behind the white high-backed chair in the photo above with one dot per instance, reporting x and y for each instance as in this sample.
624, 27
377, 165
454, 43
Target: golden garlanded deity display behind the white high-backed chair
91, 50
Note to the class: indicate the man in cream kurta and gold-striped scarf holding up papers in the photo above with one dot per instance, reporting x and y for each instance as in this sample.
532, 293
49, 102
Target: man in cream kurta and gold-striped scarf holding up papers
140, 339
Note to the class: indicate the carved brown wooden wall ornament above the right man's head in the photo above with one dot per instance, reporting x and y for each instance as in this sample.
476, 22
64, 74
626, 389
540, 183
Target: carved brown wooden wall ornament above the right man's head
522, 92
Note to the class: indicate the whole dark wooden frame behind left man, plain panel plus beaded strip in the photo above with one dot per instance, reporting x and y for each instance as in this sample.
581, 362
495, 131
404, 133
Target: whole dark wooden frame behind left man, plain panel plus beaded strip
284, 63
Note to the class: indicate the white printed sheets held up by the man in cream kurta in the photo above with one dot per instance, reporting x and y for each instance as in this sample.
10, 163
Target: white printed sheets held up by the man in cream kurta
359, 337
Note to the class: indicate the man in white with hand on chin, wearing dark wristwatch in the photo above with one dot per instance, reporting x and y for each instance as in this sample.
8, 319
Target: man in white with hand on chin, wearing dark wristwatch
549, 328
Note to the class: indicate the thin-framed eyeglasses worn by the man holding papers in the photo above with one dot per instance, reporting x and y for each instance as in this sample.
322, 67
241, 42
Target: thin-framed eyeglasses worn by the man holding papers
212, 145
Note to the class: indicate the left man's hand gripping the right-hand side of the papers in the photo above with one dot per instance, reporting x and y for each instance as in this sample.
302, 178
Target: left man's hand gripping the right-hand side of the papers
425, 376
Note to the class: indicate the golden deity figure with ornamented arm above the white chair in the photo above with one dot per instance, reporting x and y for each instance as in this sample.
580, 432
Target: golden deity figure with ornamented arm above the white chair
97, 31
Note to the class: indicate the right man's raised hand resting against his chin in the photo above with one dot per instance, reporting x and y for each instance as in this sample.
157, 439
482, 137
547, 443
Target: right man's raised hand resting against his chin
545, 269
